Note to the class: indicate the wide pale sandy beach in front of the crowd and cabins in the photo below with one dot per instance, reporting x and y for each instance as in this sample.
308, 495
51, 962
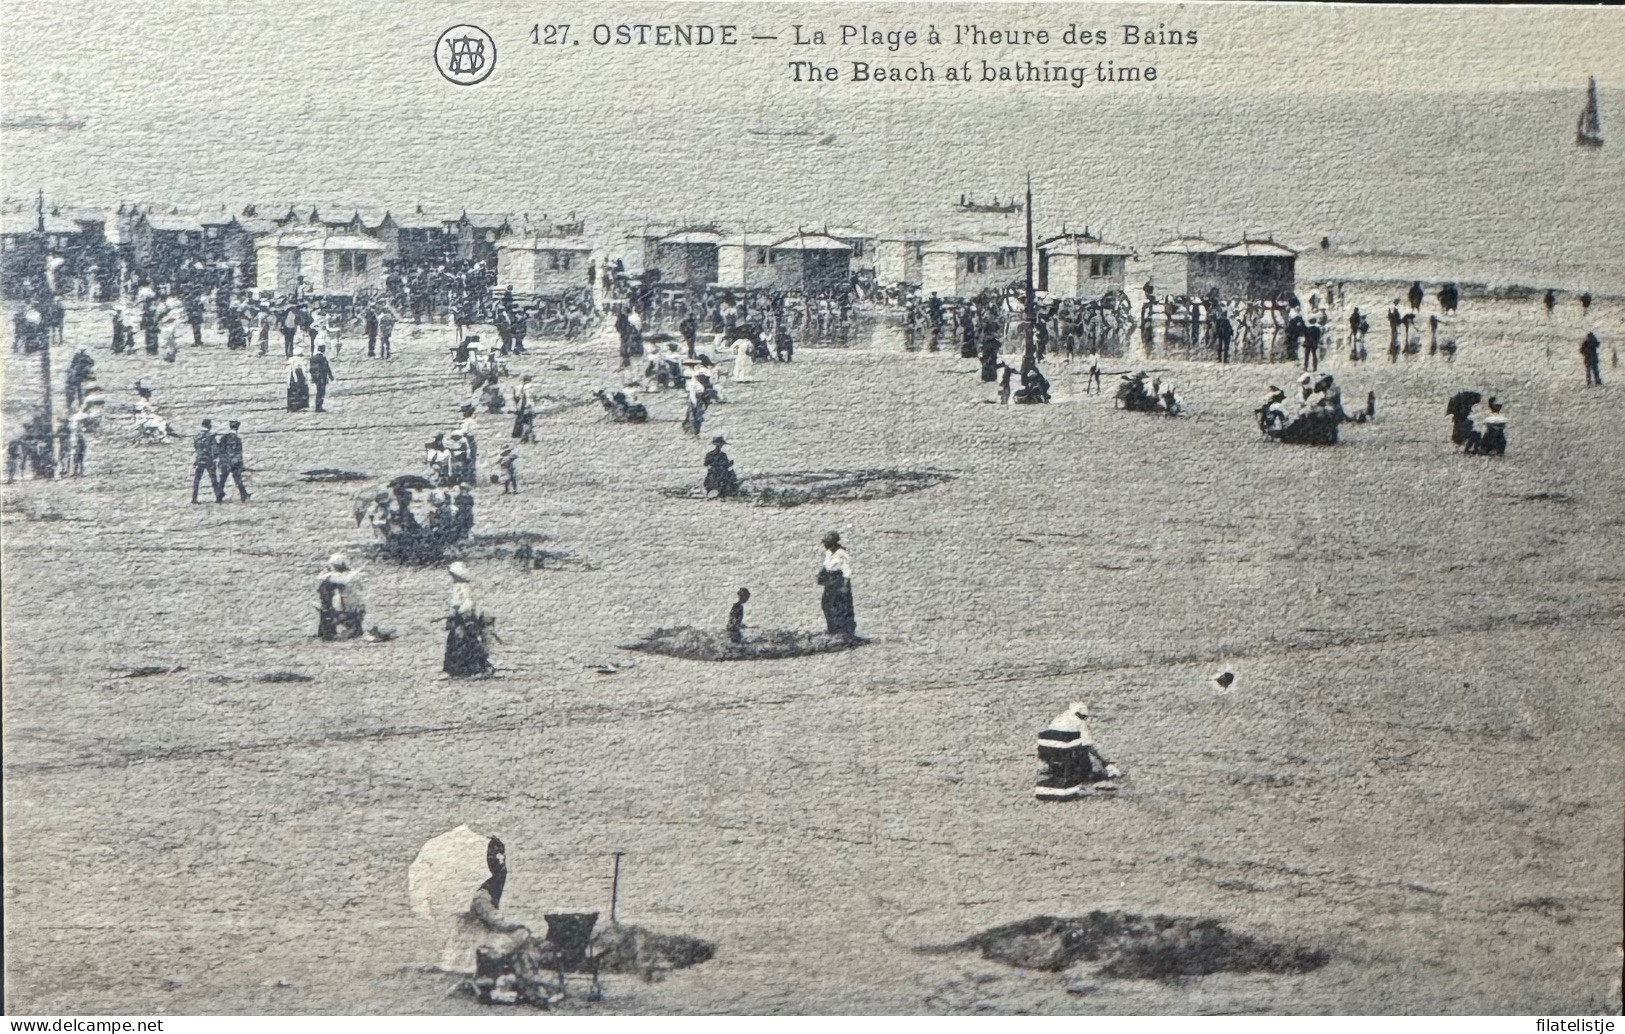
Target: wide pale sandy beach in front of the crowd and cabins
1418, 768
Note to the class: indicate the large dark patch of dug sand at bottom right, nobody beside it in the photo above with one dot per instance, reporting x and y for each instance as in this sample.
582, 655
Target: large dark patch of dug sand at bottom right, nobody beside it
1135, 947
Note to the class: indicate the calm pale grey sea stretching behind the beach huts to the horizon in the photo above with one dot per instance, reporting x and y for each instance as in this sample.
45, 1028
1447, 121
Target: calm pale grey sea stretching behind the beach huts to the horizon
1483, 188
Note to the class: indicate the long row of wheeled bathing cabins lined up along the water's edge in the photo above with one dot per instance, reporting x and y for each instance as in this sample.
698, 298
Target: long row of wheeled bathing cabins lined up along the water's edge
352, 253
